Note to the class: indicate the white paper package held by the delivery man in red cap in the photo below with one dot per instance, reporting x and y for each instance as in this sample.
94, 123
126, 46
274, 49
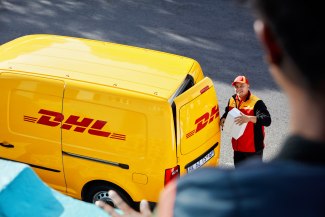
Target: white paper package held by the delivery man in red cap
230, 127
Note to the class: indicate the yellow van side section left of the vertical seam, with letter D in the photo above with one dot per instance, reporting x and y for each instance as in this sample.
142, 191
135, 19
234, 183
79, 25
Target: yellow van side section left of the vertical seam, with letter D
27, 123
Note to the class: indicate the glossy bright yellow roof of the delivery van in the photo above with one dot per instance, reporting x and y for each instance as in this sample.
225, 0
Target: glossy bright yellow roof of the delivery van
137, 69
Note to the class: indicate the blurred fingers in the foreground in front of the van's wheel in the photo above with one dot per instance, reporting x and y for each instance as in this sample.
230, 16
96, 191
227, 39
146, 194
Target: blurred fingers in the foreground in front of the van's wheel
124, 207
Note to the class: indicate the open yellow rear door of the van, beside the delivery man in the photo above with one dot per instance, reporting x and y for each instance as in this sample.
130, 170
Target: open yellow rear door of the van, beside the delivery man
197, 126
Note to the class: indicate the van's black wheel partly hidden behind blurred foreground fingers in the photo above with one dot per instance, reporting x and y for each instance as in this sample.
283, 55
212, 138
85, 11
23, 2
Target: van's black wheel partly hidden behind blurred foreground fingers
100, 192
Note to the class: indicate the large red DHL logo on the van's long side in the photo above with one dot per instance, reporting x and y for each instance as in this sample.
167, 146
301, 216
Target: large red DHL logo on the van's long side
93, 127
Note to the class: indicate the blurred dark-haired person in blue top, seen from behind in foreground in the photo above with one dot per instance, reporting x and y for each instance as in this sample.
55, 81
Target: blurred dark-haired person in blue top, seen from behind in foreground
292, 184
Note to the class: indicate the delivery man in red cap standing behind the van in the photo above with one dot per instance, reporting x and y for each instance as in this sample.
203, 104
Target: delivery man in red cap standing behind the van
254, 113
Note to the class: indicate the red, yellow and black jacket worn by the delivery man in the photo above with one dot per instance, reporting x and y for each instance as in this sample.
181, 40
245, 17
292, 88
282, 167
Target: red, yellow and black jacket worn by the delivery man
252, 139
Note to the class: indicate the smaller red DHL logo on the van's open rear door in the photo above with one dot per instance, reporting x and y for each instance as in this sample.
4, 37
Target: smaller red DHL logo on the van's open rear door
204, 120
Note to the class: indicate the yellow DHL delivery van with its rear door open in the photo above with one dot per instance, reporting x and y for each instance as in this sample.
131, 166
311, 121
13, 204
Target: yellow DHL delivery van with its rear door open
89, 116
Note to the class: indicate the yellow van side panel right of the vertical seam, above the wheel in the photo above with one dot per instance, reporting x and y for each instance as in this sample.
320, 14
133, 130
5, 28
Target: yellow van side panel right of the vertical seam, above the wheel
116, 136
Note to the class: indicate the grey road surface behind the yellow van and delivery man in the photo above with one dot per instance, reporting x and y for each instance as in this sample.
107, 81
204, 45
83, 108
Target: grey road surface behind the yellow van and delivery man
217, 33
